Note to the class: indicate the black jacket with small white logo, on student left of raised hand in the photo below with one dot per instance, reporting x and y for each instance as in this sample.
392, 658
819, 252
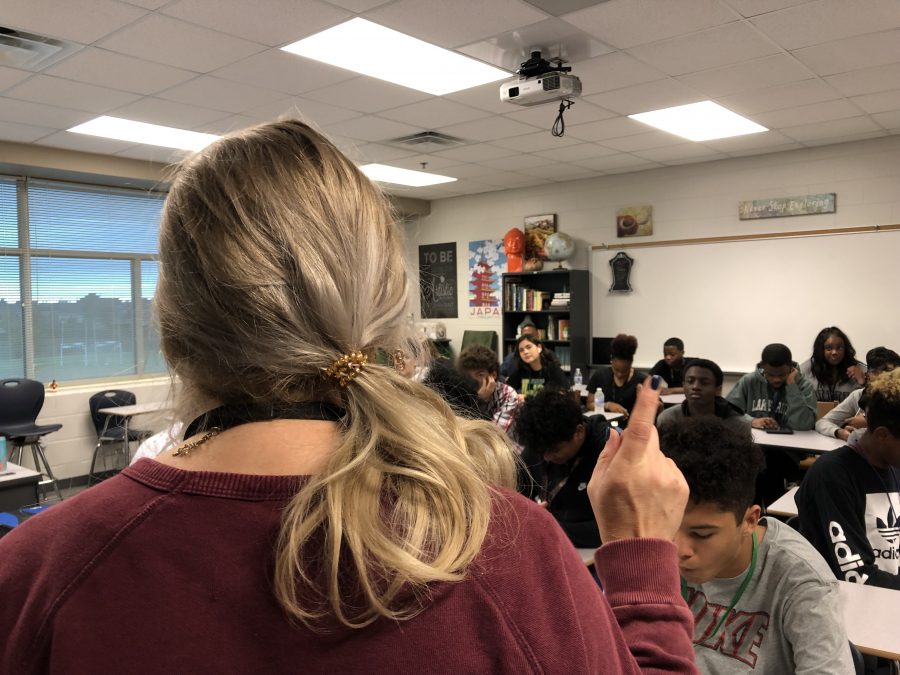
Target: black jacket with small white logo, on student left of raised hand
567, 483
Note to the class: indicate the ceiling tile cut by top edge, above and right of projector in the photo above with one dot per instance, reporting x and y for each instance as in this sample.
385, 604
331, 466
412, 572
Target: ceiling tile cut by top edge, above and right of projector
626, 23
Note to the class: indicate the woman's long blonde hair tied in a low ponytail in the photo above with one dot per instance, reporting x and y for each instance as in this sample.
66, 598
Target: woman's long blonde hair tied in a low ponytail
277, 257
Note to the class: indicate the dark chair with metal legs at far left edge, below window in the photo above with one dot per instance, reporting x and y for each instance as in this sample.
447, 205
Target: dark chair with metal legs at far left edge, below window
21, 401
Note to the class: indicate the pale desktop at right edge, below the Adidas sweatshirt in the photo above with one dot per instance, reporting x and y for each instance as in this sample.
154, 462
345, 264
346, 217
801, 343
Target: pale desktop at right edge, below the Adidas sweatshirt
871, 615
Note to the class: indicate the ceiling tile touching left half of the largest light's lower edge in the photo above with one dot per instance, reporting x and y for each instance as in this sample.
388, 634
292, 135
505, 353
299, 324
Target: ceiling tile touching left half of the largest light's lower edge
280, 71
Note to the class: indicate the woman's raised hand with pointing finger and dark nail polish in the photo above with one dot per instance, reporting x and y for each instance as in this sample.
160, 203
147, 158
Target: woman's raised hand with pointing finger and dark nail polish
636, 491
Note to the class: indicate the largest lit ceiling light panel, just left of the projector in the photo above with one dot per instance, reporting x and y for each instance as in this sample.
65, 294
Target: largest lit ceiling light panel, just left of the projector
373, 50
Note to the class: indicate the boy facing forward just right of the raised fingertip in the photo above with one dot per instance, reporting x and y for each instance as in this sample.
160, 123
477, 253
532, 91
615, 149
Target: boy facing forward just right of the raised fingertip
702, 396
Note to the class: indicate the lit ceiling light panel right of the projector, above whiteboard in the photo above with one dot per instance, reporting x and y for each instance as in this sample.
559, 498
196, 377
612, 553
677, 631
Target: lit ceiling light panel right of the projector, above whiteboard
701, 121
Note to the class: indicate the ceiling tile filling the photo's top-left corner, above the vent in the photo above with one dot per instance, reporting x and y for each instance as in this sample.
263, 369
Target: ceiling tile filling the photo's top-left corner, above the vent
83, 21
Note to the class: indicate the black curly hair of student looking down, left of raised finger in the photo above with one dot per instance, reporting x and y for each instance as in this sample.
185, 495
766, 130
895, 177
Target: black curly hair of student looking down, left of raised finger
549, 417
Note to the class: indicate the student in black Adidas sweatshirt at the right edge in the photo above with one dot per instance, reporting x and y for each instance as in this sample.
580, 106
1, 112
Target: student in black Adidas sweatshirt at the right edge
849, 501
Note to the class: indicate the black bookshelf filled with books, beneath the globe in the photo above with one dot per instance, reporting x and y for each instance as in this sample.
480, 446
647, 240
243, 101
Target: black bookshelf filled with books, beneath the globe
558, 302
